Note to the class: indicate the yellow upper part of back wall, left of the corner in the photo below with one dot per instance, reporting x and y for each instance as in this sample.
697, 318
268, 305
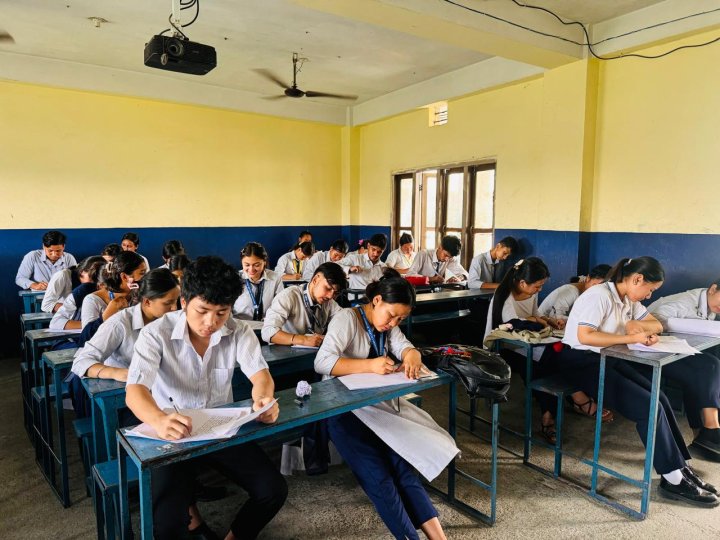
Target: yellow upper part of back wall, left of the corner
153, 164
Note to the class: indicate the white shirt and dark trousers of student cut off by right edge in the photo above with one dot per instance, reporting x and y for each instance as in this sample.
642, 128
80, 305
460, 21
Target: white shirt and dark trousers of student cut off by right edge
698, 375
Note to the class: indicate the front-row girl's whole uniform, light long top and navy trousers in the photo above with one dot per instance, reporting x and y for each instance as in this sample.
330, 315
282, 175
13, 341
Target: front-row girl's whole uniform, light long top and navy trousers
383, 446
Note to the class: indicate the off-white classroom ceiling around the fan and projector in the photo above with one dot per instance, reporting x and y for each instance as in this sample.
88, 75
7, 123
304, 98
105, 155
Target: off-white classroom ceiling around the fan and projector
370, 48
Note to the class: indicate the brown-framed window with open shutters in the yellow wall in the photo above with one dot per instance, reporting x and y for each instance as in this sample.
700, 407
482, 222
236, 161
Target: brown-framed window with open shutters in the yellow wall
457, 200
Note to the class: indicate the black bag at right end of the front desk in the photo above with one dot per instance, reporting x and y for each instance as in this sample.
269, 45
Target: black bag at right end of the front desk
484, 374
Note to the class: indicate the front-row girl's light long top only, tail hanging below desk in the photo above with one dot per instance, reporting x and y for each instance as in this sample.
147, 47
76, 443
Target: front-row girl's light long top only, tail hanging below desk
412, 432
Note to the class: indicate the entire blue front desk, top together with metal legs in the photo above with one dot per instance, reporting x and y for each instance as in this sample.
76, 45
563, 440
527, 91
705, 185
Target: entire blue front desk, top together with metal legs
147, 454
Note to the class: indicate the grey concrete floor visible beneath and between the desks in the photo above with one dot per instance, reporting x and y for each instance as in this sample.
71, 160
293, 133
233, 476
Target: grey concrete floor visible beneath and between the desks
333, 506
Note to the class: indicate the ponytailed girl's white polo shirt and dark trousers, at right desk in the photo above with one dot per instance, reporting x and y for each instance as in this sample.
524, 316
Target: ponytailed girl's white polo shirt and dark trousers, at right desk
626, 390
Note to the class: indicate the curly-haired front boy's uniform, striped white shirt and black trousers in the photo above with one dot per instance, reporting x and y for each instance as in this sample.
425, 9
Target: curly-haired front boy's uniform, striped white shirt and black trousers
167, 364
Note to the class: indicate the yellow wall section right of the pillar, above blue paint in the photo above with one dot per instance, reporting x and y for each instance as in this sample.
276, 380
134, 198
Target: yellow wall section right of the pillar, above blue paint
658, 145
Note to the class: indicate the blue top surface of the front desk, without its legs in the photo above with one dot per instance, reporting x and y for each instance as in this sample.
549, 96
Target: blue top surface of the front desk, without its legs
329, 398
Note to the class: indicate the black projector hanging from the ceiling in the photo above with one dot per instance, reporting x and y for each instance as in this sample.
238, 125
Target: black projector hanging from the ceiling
179, 54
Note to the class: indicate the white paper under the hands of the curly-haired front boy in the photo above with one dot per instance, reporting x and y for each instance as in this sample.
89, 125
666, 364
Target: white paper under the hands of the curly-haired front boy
208, 424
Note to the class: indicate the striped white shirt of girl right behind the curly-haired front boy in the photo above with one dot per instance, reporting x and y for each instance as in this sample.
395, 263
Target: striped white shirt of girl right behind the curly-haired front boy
113, 343
